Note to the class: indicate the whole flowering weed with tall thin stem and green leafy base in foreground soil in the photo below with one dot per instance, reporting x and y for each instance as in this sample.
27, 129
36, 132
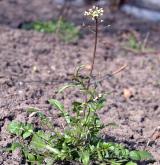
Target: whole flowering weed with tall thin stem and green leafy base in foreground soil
79, 141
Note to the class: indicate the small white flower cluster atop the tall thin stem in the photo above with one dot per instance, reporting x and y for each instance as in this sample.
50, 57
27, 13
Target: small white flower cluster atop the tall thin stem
94, 13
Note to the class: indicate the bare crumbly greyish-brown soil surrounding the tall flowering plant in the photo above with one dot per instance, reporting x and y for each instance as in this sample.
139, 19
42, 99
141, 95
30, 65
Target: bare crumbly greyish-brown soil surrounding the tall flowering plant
33, 65
